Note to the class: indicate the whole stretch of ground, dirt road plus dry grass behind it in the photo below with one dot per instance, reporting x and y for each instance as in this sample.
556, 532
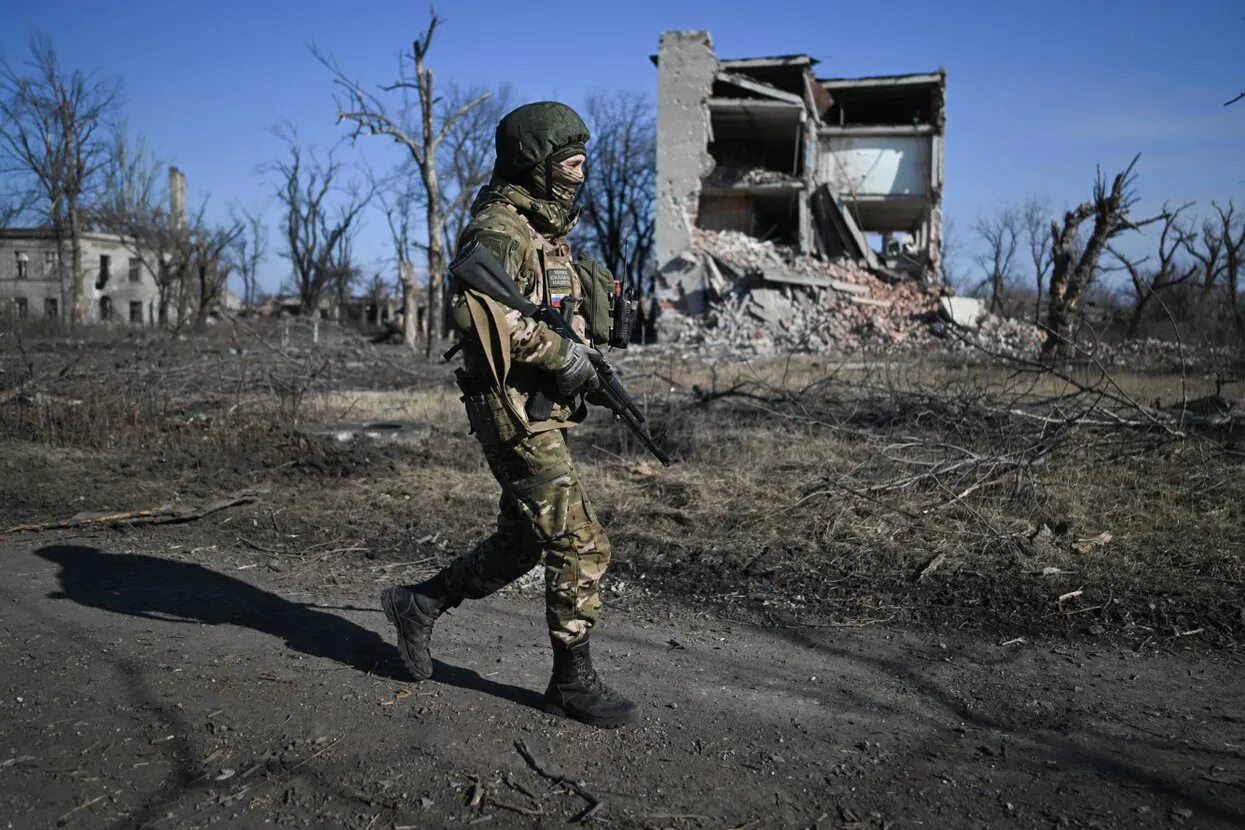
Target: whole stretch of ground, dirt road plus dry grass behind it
898, 659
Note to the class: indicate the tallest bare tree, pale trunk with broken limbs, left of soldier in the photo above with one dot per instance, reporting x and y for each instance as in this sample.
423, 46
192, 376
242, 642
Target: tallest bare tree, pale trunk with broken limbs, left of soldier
415, 126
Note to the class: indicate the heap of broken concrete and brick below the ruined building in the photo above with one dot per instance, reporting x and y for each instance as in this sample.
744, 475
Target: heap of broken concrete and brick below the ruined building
768, 298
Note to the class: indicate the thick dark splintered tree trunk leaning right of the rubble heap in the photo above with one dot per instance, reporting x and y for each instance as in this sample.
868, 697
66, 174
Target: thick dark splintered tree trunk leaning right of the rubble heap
1074, 272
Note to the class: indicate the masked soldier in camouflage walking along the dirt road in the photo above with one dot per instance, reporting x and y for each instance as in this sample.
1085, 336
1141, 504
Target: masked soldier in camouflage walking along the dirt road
522, 388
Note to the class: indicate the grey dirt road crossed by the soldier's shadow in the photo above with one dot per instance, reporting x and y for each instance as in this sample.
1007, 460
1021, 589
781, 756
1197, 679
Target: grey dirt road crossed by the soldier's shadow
153, 685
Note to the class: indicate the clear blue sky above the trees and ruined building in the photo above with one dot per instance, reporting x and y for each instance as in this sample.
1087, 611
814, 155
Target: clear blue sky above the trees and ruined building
1039, 94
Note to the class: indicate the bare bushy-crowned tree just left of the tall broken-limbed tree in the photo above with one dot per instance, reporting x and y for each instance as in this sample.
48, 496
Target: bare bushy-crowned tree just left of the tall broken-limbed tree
319, 211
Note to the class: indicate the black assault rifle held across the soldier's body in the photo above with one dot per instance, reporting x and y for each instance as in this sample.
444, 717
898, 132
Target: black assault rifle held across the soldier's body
479, 269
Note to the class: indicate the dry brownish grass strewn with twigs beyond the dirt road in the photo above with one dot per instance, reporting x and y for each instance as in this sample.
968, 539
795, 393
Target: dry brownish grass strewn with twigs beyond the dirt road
807, 490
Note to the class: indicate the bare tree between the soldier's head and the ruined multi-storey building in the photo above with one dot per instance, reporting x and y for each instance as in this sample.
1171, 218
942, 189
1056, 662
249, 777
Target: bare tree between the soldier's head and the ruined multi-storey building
621, 189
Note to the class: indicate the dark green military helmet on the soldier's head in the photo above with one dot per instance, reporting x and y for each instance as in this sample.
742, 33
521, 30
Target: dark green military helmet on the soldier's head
536, 133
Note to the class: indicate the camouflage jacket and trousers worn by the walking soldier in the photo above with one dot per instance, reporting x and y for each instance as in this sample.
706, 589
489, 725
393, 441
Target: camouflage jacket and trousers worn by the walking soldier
545, 515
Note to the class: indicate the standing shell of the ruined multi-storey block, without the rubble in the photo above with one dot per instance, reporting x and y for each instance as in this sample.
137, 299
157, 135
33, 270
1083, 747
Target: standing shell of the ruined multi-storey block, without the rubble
765, 147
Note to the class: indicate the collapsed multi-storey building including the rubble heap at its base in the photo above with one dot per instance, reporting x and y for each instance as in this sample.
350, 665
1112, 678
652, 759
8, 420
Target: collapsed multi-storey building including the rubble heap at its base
801, 212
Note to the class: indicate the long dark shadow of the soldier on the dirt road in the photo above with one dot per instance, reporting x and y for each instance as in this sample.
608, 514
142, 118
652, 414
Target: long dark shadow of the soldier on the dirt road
172, 592
